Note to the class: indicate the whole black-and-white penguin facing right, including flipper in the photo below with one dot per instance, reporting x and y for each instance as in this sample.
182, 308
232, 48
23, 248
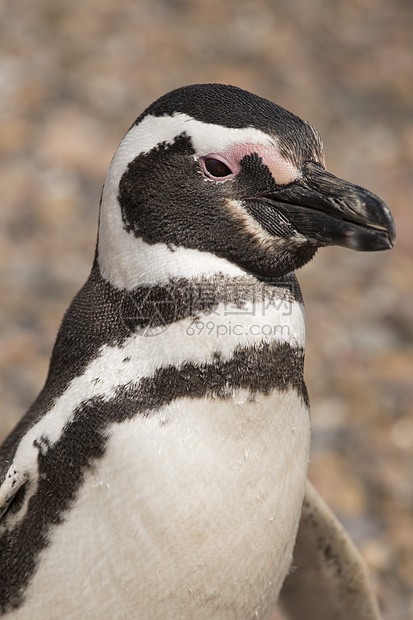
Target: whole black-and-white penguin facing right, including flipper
161, 472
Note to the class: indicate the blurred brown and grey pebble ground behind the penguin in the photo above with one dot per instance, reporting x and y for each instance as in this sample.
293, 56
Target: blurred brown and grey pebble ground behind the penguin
74, 76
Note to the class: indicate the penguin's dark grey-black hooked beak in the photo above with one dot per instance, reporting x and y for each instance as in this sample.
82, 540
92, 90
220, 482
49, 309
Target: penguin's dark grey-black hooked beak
331, 211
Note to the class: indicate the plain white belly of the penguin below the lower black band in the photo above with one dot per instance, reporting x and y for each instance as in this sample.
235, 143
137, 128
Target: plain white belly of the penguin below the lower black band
192, 513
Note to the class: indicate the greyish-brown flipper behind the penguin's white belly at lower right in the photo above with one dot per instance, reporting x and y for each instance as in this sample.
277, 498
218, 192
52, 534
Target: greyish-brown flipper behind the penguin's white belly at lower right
329, 578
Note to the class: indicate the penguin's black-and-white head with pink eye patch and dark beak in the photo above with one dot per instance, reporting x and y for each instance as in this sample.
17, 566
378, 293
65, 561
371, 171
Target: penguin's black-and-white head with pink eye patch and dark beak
223, 173
